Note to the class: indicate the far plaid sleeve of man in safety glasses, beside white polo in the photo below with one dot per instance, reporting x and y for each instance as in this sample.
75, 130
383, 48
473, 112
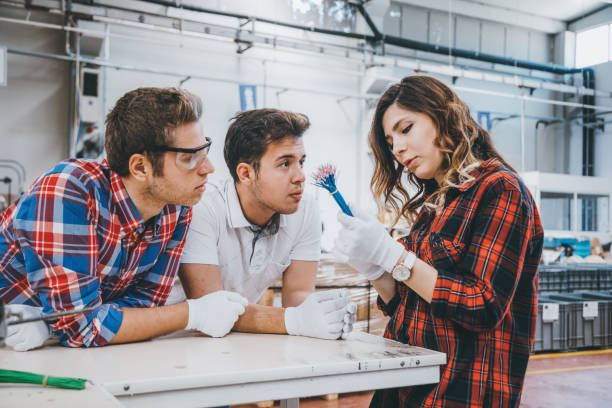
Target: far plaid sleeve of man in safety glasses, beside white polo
154, 288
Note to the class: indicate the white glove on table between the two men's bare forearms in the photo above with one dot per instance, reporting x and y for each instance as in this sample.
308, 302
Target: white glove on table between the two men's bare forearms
215, 314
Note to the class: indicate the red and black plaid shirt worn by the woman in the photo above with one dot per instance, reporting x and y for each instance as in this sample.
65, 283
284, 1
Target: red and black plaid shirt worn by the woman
486, 245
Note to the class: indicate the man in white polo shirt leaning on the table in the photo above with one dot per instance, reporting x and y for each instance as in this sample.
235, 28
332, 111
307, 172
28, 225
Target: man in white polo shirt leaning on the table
249, 231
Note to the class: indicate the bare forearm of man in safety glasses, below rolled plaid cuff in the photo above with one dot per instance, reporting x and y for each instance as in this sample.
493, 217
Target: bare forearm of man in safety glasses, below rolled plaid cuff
144, 323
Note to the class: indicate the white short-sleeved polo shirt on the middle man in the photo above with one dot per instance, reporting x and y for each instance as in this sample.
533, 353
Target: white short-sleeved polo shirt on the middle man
221, 235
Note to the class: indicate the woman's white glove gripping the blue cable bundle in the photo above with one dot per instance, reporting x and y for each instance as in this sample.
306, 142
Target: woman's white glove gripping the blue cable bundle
366, 243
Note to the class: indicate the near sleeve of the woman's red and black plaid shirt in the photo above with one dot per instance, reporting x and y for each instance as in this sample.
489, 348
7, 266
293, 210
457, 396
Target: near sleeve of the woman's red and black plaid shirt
478, 296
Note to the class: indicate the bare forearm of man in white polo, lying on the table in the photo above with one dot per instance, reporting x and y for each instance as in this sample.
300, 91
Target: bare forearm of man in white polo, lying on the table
262, 319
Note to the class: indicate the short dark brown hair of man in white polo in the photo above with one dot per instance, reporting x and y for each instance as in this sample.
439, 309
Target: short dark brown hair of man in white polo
249, 136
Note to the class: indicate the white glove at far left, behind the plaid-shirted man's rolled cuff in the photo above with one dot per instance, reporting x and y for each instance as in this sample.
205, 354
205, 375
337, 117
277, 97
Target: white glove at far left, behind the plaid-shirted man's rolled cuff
26, 336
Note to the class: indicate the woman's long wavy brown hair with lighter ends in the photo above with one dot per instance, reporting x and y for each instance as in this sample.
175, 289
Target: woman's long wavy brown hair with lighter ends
463, 142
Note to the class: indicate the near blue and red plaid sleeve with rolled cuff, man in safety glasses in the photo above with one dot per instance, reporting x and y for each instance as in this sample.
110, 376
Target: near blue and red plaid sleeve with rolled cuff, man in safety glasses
55, 226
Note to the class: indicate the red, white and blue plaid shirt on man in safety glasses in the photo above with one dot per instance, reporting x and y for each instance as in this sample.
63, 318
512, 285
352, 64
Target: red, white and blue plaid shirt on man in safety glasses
75, 240
